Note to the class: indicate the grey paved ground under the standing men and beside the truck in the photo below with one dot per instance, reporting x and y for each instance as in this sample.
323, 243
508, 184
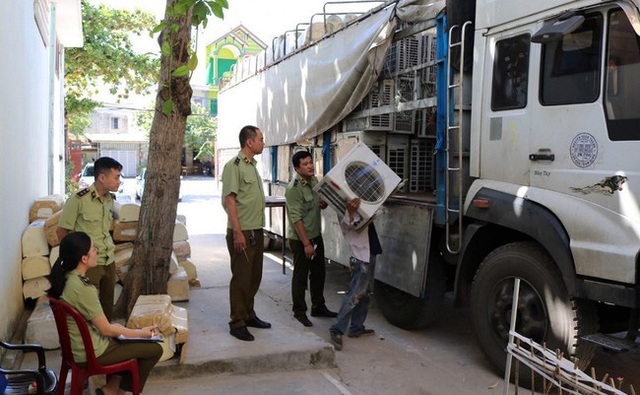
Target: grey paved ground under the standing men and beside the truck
291, 359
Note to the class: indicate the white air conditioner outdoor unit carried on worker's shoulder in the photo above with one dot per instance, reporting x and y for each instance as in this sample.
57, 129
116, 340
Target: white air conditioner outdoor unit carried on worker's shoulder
361, 173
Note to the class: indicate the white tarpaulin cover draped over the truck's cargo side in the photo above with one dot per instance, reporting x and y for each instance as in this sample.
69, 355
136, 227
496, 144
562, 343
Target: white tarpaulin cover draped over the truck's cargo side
307, 93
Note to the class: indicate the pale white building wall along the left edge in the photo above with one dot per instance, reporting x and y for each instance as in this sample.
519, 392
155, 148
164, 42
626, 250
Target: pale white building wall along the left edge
28, 170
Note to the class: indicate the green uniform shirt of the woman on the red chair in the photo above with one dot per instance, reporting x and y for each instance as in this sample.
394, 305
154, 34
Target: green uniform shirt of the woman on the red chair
80, 294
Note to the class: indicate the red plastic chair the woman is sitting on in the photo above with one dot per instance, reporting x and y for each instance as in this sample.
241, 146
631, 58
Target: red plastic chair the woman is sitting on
80, 374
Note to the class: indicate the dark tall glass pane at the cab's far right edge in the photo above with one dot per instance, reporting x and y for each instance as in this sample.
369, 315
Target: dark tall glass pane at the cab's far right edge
622, 93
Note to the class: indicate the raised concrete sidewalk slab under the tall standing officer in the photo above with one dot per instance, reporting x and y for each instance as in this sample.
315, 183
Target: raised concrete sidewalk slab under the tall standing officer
211, 349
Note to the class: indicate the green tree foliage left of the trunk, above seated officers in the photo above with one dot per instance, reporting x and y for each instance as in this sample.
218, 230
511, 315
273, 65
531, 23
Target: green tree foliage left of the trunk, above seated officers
108, 58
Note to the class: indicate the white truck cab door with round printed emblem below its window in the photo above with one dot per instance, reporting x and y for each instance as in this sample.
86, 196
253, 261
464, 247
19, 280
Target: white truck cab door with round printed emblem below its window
568, 129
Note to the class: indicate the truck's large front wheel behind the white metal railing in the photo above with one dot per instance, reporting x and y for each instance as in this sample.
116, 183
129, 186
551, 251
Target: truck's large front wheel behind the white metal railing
546, 313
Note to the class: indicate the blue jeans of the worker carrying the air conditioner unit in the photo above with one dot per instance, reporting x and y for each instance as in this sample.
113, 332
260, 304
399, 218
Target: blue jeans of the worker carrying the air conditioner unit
355, 304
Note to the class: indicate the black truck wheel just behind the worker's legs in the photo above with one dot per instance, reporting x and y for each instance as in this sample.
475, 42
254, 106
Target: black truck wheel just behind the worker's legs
410, 312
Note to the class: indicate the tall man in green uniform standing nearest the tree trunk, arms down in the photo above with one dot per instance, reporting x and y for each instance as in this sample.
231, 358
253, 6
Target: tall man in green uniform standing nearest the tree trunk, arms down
243, 200
